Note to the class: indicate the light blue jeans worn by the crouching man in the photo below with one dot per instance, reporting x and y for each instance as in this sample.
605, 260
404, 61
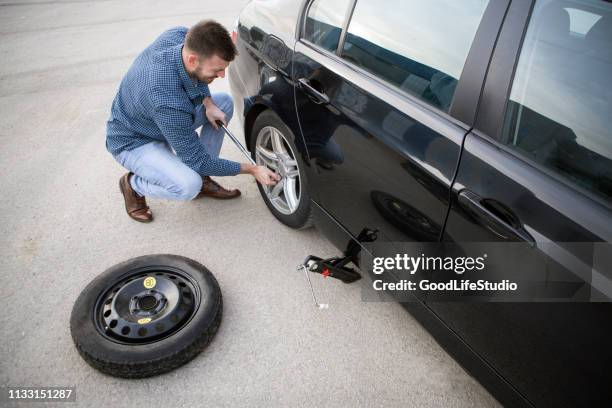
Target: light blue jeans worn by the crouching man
159, 173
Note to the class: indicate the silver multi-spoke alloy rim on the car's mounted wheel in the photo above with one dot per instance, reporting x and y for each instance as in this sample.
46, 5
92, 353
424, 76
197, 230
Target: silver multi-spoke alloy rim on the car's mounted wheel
273, 151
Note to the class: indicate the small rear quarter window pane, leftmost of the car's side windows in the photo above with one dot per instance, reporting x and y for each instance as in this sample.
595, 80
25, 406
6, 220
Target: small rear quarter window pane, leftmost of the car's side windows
324, 23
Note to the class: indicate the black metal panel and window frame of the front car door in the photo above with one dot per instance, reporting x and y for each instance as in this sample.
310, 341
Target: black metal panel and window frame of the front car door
554, 354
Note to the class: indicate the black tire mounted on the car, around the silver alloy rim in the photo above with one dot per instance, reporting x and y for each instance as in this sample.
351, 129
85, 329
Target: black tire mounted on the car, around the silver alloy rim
301, 216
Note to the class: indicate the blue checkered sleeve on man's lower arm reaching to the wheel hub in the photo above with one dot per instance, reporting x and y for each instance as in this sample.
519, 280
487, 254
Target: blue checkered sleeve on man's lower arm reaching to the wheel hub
176, 126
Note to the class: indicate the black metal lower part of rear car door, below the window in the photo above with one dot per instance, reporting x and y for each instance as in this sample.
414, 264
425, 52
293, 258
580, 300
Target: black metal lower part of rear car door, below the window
374, 166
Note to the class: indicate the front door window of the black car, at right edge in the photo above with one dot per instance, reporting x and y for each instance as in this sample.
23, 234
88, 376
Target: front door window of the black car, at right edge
559, 113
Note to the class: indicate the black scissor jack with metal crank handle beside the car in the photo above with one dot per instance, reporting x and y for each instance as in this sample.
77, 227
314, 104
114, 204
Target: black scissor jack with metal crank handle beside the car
336, 267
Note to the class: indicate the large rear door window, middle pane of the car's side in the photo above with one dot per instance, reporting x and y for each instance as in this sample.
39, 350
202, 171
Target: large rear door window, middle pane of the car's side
419, 46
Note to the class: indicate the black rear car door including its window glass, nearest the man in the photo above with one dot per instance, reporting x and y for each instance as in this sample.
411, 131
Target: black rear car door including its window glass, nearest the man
382, 110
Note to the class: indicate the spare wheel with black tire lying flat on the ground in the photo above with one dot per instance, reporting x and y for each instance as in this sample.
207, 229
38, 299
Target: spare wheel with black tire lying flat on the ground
158, 353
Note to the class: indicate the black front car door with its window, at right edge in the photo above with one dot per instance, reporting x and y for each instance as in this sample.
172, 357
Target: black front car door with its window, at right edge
538, 167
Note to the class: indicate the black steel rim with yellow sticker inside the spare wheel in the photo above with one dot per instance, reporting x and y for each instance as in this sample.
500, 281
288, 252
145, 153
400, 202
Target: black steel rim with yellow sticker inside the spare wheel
146, 305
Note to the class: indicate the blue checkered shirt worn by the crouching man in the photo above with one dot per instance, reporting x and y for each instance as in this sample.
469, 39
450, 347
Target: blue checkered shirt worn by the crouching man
156, 102
